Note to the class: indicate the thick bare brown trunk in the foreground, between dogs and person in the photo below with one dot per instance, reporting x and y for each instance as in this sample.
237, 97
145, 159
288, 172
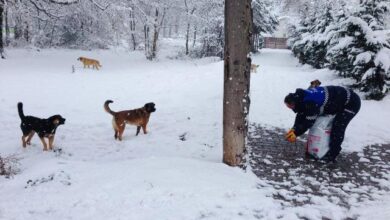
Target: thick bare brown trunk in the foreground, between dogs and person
238, 26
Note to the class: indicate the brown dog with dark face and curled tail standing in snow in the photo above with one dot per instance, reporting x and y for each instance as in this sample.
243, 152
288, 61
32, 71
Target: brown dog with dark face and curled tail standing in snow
138, 117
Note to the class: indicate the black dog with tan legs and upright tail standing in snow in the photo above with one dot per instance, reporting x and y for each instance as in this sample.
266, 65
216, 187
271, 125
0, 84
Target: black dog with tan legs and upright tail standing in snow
46, 128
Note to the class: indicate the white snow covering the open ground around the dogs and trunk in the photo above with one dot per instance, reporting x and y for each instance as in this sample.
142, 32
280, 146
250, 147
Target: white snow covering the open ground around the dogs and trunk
157, 175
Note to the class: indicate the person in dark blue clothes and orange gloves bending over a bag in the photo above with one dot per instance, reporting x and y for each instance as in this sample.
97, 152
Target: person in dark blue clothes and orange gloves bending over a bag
310, 103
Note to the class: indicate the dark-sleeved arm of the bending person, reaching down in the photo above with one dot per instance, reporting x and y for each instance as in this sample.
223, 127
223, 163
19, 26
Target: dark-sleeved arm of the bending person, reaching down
304, 120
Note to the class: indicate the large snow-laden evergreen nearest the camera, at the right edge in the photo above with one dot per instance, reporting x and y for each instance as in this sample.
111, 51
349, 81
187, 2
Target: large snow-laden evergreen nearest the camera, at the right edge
359, 46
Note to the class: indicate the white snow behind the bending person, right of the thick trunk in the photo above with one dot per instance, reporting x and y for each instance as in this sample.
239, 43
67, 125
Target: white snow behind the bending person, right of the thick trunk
280, 73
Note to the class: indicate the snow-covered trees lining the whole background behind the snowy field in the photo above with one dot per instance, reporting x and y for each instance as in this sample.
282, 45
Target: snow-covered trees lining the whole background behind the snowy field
350, 37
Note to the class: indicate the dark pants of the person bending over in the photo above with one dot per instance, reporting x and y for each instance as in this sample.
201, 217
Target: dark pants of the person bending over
340, 124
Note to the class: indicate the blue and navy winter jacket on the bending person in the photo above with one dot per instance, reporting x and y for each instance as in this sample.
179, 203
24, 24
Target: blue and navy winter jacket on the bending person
313, 102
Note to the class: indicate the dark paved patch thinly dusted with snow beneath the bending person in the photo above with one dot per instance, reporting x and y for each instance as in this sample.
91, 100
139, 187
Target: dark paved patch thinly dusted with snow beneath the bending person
299, 182
